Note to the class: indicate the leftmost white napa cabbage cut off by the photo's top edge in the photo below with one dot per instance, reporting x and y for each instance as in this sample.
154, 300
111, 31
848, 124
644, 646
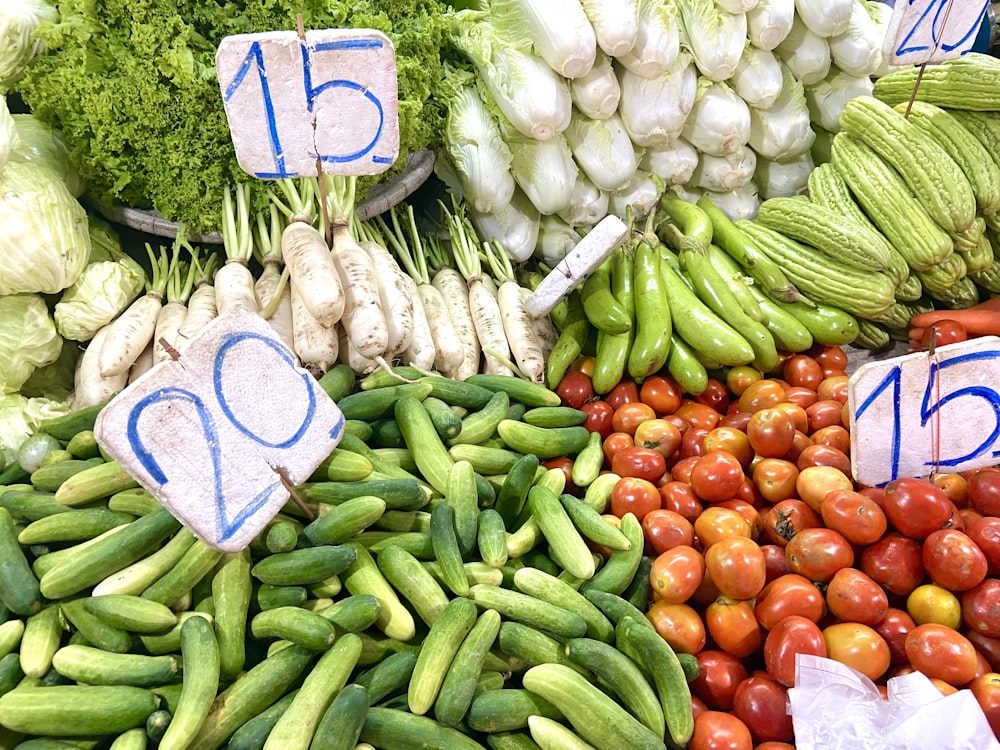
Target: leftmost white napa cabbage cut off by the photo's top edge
559, 31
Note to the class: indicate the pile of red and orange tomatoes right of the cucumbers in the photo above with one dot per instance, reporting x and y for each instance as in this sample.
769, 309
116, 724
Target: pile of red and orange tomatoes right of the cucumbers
763, 547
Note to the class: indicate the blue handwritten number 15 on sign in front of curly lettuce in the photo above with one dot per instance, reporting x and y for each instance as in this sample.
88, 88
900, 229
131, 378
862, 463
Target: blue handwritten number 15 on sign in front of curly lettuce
255, 59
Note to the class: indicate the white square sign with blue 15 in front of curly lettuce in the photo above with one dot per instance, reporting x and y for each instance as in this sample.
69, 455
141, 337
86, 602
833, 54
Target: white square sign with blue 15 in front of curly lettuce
326, 101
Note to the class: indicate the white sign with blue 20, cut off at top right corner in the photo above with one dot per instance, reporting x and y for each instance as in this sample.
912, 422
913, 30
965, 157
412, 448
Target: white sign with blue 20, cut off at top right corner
923, 31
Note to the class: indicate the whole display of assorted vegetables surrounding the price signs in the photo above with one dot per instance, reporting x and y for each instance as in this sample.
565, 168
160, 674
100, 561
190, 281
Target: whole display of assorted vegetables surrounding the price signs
614, 525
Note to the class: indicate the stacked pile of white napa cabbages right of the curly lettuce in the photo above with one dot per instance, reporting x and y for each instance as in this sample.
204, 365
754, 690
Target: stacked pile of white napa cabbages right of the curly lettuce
579, 109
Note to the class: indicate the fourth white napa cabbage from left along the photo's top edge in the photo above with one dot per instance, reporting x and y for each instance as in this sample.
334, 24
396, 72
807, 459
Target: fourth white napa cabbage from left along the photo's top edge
716, 38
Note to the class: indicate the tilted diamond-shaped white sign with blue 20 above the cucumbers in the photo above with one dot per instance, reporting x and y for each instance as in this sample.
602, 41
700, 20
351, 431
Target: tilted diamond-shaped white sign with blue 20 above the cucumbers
218, 434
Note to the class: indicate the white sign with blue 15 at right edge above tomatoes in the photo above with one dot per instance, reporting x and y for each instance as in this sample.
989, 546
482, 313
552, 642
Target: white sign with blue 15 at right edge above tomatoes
921, 413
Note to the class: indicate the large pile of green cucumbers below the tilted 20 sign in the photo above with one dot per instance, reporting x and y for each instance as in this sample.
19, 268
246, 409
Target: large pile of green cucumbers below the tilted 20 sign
431, 586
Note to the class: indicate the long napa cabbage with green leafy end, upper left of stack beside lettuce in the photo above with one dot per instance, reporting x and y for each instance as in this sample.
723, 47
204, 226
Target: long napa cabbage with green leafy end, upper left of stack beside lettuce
525, 89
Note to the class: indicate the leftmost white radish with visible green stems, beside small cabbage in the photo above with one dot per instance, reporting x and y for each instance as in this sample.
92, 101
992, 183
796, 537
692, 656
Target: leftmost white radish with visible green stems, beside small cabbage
131, 331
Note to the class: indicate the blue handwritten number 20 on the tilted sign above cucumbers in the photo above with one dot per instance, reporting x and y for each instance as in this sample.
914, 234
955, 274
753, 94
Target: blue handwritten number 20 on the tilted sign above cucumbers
227, 526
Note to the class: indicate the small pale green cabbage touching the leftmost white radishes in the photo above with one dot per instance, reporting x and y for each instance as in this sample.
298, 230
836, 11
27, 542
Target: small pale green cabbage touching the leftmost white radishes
103, 291
